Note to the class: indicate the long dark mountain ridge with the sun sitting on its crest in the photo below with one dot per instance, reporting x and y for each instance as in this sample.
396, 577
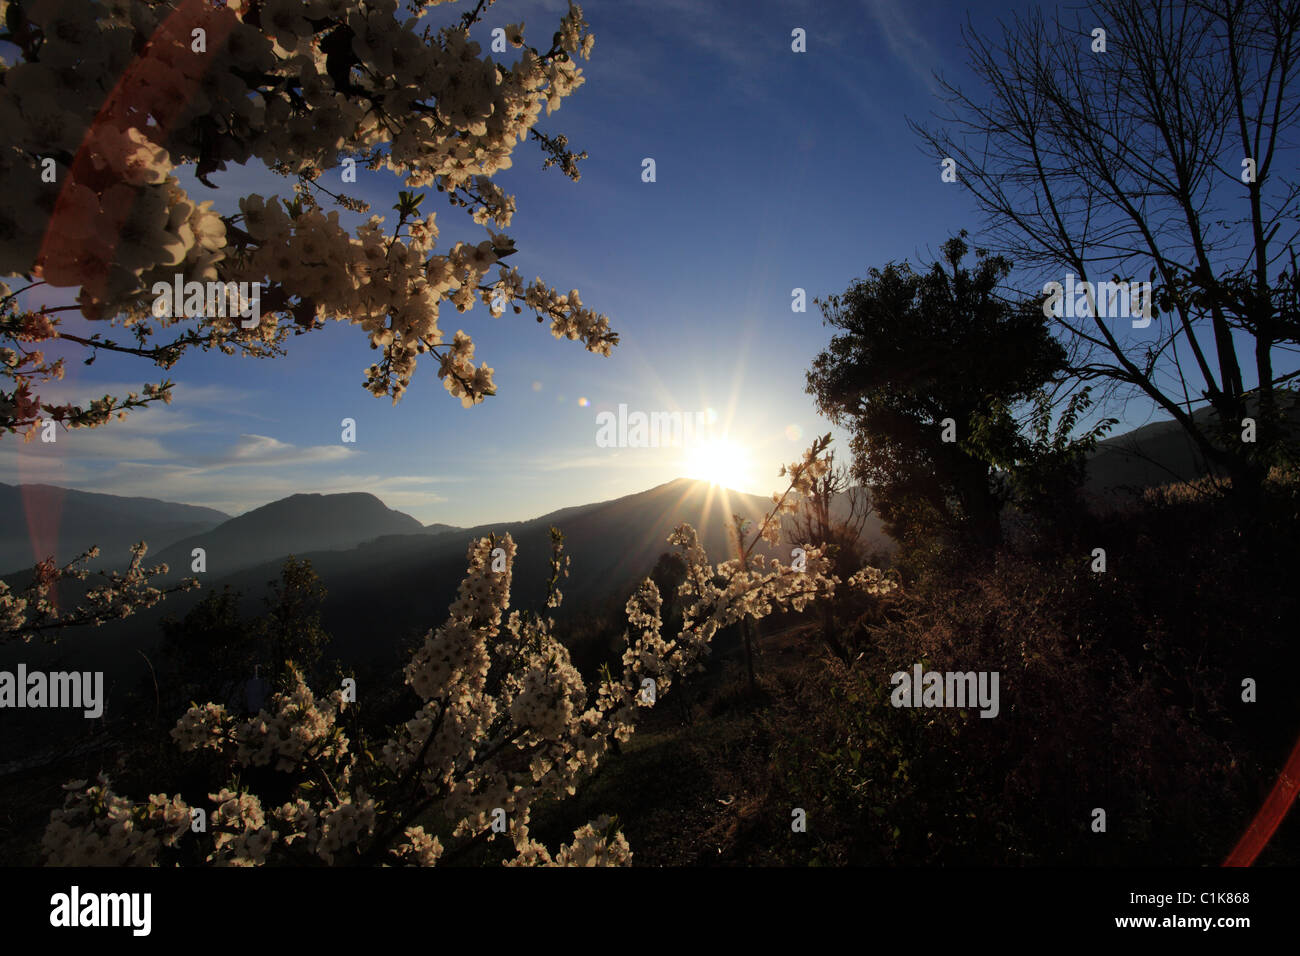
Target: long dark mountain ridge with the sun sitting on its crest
389, 579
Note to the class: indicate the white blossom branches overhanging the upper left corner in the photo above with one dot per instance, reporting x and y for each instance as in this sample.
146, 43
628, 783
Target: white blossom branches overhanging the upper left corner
112, 97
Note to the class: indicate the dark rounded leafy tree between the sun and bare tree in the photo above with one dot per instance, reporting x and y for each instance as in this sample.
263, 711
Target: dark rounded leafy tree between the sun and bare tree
916, 349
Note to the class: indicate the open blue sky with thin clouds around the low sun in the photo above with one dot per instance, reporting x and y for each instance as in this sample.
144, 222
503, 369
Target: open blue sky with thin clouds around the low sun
774, 171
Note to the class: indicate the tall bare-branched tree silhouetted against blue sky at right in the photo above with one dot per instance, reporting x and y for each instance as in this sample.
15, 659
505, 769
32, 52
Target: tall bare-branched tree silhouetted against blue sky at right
1159, 150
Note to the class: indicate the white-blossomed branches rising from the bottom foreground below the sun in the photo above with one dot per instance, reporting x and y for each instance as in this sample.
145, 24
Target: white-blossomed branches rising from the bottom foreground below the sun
505, 720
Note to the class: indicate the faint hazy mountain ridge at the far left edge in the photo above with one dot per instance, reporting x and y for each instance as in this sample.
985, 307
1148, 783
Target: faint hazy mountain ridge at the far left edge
47, 520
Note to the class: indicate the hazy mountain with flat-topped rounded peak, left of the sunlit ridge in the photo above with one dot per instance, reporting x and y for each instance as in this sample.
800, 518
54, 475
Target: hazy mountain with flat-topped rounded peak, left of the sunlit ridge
296, 525
